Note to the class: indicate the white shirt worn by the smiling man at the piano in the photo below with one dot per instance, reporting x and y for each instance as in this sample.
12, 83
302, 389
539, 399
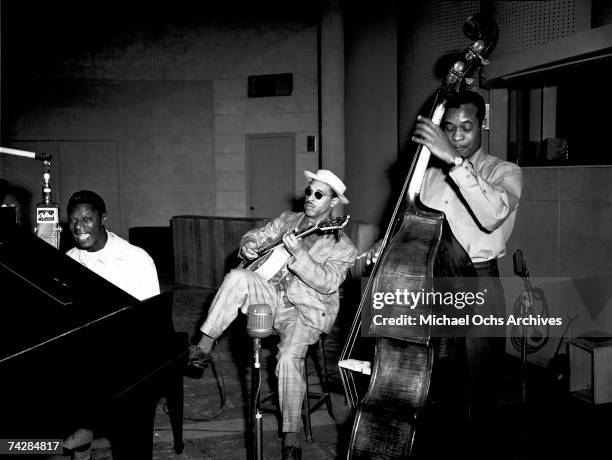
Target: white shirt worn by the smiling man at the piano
123, 264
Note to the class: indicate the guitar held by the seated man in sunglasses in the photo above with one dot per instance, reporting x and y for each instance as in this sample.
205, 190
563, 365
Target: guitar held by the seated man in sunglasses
273, 257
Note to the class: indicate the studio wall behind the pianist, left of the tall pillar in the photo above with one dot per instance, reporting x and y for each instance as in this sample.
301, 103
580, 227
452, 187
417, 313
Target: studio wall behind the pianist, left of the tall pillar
151, 107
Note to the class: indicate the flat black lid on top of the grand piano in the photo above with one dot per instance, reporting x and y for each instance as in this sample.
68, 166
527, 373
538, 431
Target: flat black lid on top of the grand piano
44, 294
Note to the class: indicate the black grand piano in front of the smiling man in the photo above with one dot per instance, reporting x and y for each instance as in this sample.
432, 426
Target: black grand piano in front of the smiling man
76, 351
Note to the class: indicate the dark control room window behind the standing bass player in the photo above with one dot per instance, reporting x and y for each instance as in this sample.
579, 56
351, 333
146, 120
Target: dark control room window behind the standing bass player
562, 116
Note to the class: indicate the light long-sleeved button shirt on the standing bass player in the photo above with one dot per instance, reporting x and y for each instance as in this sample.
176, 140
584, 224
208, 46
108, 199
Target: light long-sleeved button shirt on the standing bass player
491, 188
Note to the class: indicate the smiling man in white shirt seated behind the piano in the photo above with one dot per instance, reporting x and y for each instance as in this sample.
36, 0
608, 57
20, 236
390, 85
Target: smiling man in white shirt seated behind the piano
114, 259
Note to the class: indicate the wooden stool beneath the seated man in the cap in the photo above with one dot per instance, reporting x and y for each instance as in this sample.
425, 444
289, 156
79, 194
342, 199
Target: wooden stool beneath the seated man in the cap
312, 400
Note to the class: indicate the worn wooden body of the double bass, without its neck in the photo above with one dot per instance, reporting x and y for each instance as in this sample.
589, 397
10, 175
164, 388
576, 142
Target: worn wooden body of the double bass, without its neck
422, 251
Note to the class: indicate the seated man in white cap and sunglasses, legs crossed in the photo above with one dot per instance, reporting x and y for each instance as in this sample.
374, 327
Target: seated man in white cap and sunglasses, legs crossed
303, 295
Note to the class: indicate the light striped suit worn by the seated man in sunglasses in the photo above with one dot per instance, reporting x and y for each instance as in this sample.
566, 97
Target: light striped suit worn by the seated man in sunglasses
304, 300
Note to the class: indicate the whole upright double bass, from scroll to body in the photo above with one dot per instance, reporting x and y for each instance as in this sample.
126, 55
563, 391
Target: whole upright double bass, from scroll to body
418, 254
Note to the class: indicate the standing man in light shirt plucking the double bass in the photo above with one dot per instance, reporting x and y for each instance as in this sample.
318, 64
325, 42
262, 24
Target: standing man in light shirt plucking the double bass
479, 195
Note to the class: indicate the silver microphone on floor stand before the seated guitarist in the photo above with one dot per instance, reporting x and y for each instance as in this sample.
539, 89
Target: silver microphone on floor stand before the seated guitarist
259, 325
